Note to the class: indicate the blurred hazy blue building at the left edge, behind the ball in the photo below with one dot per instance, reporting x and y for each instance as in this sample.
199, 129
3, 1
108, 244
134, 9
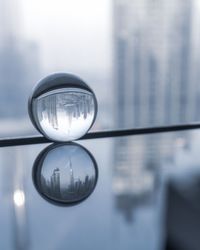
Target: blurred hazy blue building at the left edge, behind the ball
19, 64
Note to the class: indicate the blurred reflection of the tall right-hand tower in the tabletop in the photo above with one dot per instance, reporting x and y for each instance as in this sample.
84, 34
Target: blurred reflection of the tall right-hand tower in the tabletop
134, 186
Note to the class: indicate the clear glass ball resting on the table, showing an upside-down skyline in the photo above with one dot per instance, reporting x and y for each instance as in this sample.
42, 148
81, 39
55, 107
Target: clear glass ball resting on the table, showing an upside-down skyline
62, 107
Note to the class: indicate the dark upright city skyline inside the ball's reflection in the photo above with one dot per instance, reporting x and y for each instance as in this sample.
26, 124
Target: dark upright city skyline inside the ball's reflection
73, 188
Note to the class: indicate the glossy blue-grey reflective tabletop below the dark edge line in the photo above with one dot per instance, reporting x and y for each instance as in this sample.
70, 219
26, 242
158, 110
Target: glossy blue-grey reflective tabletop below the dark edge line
134, 192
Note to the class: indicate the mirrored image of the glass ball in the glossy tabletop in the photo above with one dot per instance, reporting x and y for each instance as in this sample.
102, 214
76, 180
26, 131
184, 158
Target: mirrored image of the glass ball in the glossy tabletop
65, 174
